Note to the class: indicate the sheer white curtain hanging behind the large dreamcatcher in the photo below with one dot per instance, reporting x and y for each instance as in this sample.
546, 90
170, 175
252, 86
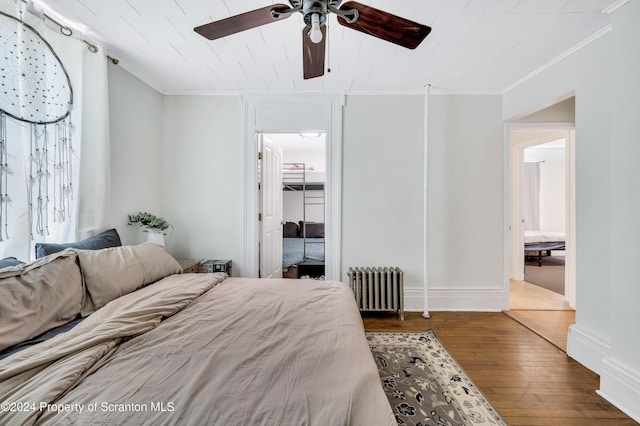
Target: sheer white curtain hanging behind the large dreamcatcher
90, 149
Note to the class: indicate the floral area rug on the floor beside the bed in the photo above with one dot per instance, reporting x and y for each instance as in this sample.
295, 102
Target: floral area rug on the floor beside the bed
425, 385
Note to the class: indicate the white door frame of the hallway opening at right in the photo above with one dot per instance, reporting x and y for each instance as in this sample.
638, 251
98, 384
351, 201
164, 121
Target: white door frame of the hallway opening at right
515, 239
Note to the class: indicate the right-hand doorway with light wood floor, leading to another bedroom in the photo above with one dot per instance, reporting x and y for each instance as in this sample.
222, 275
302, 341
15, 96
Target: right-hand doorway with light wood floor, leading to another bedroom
541, 163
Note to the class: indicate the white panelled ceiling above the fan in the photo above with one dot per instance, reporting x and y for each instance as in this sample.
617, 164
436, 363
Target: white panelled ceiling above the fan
474, 46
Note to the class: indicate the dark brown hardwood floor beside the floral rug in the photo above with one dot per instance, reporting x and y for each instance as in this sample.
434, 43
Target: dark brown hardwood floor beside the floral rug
526, 378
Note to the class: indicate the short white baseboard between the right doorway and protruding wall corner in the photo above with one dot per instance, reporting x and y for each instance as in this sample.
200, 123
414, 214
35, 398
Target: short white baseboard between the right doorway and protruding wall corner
588, 348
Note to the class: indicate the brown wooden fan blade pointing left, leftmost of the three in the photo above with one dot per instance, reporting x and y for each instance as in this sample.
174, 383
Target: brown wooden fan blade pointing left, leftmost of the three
244, 21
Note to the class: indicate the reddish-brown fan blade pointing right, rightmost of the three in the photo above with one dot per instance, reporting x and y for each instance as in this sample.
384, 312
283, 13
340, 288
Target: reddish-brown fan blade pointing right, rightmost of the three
385, 26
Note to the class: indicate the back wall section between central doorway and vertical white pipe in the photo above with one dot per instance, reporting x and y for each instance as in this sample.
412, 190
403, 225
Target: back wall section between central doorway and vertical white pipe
383, 175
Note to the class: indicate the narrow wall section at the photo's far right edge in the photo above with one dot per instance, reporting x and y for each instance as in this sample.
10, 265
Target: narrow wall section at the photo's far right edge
625, 223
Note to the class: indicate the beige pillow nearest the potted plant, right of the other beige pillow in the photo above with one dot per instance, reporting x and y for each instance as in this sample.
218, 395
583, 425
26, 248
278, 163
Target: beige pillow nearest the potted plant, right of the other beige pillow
113, 272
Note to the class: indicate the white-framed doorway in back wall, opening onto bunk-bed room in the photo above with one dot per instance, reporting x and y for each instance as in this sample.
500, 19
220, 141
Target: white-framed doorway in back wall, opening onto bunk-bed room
297, 117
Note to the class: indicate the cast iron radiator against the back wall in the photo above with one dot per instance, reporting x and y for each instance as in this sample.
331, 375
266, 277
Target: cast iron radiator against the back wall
378, 289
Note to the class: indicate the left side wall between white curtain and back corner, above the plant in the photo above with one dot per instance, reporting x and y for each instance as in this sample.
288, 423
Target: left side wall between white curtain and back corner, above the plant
137, 172
